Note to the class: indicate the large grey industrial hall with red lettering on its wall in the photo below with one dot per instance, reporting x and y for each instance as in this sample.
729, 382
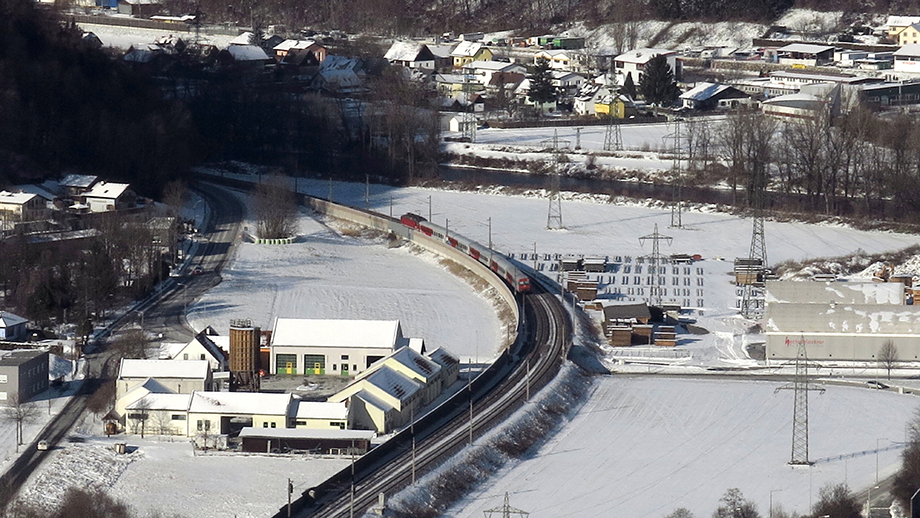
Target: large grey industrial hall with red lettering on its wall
839, 321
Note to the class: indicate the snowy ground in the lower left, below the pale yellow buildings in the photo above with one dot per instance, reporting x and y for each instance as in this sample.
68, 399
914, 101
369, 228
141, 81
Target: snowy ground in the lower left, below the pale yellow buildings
167, 475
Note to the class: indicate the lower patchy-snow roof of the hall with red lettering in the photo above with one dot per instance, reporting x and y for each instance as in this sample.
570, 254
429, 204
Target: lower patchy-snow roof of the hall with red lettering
861, 319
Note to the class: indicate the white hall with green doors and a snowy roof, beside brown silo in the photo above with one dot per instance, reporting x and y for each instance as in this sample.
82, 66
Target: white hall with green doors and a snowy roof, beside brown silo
343, 347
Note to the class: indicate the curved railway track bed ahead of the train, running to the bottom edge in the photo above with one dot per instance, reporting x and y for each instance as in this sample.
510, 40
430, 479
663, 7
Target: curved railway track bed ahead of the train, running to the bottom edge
533, 361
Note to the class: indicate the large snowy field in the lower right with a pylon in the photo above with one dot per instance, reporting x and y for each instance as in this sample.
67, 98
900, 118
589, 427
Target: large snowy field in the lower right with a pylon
642, 447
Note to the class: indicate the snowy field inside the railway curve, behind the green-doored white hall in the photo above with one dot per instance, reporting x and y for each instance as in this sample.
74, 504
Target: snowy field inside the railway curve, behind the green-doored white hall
327, 275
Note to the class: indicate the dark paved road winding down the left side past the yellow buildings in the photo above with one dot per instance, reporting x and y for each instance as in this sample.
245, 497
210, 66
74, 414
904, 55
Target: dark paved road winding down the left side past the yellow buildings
163, 314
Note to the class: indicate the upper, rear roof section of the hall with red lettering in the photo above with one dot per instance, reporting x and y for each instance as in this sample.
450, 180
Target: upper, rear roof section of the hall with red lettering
810, 292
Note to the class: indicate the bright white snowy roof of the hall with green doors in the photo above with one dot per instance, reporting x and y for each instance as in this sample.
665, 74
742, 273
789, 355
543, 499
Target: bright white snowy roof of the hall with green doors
306, 332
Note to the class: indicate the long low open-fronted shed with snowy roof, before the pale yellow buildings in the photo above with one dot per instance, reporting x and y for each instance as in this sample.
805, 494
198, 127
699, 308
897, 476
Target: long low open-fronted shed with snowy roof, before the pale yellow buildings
327, 442
